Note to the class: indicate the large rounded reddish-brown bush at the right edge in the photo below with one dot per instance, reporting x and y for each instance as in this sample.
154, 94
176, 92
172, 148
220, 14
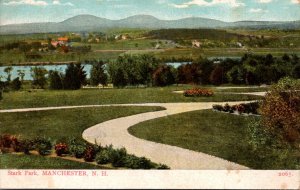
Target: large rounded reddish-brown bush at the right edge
281, 110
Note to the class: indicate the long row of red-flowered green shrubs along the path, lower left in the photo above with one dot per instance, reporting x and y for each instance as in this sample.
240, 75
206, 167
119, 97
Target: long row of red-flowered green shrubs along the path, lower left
79, 149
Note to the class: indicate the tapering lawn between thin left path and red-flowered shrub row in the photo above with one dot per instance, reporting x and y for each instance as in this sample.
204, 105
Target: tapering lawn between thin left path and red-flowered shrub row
61, 124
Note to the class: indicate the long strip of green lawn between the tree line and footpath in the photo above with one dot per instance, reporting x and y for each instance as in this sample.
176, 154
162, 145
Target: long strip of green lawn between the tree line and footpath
42, 98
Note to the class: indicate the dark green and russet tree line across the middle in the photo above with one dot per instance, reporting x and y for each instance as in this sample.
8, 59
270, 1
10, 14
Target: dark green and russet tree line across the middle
146, 70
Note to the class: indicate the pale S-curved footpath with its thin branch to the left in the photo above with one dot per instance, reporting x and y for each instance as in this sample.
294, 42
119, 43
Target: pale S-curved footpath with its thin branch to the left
115, 132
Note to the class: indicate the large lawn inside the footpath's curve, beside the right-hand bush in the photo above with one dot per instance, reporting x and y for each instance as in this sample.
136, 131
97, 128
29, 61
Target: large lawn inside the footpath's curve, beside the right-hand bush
219, 134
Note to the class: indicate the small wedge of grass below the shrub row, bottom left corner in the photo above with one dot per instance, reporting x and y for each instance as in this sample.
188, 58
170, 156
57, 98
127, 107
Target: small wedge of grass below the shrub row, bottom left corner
10, 161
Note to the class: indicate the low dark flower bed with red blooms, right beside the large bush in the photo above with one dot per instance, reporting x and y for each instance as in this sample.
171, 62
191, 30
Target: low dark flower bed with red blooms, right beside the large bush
249, 108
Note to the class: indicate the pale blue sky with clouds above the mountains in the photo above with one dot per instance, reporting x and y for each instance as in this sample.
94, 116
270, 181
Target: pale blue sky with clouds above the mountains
28, 11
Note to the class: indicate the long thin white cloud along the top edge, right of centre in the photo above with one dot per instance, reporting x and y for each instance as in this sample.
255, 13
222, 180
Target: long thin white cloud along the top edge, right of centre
232, 3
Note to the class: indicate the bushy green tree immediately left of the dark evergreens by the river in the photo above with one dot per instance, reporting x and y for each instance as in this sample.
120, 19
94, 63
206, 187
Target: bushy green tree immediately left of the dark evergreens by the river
39, 76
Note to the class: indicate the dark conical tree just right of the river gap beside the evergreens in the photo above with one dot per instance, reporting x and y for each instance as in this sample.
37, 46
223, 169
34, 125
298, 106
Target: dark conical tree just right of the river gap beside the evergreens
98, 75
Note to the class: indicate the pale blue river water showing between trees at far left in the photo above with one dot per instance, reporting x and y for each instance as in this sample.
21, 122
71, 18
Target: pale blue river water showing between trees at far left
27, 70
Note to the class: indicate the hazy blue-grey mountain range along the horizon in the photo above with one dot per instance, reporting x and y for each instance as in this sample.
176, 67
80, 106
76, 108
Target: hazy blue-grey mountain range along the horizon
83, 23
